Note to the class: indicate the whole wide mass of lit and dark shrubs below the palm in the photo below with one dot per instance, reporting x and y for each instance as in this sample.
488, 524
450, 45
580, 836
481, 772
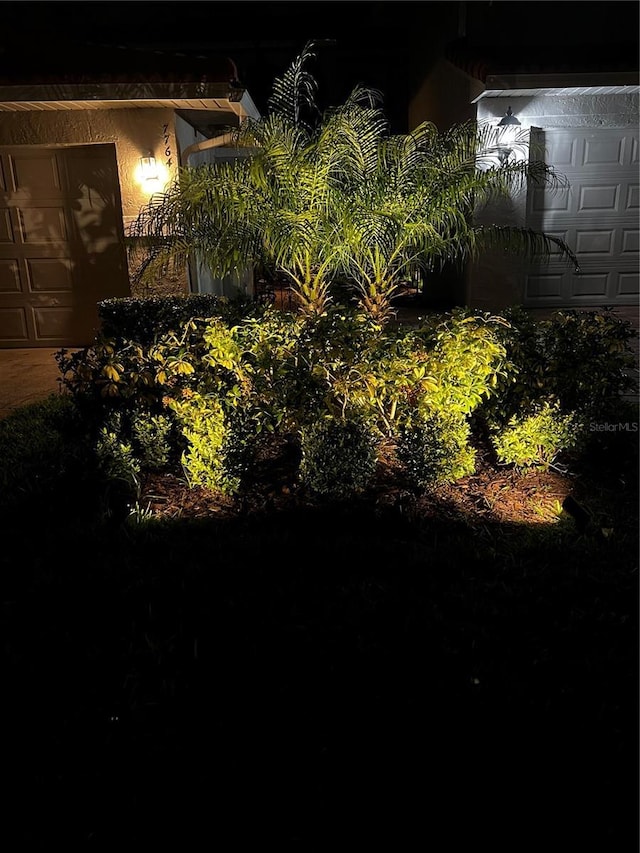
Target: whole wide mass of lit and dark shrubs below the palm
279, 374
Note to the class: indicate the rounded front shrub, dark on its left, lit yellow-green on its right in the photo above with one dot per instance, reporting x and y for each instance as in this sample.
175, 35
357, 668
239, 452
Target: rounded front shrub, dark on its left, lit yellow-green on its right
435, 449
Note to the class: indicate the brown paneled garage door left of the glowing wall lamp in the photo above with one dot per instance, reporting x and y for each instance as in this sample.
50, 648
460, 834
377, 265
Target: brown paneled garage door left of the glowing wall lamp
61, 243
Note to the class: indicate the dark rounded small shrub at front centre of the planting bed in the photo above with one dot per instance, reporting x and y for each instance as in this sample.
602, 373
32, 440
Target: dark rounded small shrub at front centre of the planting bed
339, 457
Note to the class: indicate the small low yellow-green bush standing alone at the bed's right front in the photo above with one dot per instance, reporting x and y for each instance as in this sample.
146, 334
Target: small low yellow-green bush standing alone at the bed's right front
536, 439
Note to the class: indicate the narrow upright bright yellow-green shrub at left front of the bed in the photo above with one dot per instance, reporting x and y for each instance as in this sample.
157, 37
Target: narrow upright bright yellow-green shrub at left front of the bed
202, 420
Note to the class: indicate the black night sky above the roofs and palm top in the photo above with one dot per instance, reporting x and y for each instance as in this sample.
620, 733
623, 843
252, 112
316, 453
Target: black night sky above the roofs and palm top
388, 45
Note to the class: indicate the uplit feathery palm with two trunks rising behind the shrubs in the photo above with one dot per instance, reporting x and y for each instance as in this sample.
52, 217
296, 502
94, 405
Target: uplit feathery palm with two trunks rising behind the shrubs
330, 197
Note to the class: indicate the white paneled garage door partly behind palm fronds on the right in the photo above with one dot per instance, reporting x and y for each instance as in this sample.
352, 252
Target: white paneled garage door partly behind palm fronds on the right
597, 216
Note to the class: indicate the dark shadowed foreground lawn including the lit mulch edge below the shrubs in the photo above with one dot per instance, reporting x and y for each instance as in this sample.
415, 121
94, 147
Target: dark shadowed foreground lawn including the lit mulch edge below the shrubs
431, 674
